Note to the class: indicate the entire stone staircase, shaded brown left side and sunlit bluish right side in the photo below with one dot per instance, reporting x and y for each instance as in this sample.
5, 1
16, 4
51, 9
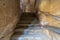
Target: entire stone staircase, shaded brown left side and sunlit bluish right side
28, 30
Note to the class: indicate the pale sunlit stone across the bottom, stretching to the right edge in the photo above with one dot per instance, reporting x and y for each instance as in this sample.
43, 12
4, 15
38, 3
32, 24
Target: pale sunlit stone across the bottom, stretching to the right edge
35, 32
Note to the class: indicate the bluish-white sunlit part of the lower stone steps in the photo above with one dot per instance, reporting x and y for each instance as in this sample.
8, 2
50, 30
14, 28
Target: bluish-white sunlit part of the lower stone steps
34, 33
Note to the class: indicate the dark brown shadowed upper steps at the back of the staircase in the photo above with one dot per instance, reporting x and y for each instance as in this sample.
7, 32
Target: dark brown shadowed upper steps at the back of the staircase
26, 19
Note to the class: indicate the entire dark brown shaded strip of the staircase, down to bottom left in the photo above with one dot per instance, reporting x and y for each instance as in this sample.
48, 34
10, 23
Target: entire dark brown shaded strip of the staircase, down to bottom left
25, 21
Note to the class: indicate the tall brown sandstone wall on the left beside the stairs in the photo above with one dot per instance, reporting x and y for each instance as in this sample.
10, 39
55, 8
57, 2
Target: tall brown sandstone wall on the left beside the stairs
9, 15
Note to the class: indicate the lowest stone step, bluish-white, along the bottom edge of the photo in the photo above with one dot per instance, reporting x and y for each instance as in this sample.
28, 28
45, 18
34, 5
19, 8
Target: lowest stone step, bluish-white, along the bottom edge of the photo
29, 37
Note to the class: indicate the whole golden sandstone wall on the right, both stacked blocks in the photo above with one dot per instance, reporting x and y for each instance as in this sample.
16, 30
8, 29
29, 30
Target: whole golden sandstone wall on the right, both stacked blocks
49, 12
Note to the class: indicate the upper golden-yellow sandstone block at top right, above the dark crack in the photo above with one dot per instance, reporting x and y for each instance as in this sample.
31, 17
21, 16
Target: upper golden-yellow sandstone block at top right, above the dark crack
50, 6
